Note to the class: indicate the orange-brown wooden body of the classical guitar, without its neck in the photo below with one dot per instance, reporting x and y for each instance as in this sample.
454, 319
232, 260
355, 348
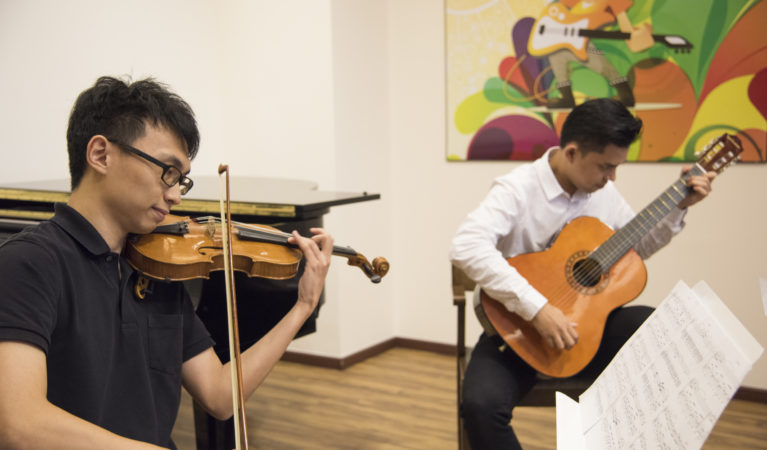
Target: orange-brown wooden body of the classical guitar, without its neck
587, 302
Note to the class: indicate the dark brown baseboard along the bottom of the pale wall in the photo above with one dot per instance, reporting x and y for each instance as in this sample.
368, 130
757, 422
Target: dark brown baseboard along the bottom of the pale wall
743, 393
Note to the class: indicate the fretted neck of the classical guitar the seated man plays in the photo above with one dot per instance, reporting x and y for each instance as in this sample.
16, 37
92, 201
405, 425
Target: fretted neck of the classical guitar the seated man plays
629, 235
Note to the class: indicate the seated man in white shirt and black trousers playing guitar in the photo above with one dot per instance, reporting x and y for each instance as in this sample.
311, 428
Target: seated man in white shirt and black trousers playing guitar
524, 212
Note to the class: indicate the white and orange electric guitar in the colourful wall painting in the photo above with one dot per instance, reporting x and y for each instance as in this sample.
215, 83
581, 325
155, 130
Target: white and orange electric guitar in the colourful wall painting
559, 28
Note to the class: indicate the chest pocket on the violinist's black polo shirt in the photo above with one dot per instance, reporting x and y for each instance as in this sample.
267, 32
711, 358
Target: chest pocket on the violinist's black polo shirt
166, 342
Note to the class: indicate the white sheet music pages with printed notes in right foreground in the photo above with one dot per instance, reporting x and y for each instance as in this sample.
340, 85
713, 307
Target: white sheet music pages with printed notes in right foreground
672, 379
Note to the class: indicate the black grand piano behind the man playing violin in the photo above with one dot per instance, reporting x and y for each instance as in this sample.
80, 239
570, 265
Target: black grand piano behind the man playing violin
283, 204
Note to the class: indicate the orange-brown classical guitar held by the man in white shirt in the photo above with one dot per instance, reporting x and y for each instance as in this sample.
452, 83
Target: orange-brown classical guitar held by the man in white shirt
588, 272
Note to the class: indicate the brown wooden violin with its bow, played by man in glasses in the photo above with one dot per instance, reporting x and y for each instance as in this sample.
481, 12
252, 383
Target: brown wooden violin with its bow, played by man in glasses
184, 248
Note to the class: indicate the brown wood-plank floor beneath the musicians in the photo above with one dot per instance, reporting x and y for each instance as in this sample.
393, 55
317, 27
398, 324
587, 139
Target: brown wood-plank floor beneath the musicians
404, 399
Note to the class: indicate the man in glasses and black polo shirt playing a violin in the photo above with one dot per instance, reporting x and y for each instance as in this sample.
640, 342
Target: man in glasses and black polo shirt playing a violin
85, 363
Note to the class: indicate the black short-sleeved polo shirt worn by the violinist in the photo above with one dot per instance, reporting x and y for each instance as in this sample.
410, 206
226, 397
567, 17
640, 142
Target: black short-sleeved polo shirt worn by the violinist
113, 359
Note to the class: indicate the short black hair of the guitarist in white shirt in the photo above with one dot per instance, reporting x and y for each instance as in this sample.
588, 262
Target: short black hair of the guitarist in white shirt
596, 123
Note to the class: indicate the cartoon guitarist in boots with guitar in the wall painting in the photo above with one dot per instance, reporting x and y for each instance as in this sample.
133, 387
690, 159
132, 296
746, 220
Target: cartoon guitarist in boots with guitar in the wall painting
563, 34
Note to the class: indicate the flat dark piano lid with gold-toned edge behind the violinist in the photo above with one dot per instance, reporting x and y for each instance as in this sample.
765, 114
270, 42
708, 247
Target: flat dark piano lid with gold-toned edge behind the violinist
250, 196
